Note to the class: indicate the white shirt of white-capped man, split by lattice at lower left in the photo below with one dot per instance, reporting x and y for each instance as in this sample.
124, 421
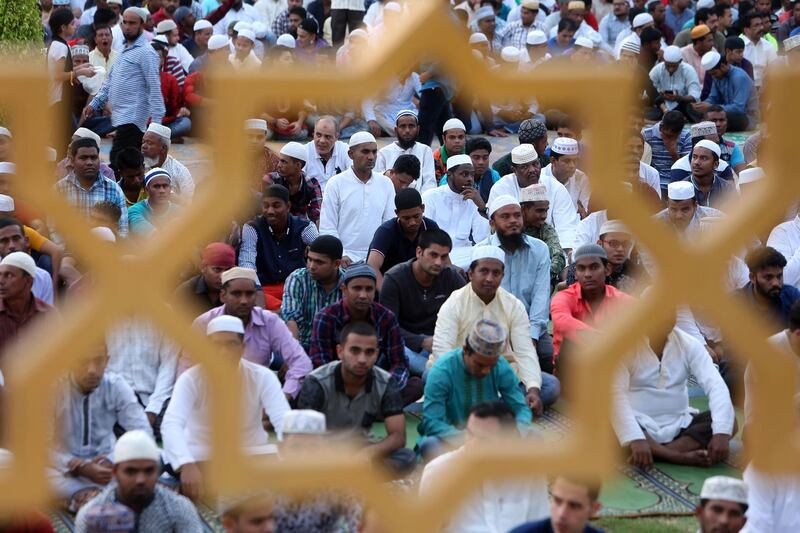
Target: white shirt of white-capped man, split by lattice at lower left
186, 428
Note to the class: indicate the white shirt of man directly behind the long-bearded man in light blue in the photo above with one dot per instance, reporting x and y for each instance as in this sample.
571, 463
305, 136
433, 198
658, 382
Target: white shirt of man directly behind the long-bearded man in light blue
561, 215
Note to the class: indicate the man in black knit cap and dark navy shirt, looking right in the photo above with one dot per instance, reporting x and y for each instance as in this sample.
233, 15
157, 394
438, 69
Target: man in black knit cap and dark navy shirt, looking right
396, 240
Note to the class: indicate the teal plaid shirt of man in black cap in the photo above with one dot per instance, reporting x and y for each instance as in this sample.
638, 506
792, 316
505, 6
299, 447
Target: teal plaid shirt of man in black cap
302, 298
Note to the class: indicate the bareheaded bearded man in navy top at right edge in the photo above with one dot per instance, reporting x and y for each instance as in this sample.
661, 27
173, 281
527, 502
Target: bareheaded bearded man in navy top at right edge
766, 292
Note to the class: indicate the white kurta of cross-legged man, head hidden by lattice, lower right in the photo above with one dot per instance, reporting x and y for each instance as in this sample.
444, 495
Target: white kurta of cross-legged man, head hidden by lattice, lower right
652, 394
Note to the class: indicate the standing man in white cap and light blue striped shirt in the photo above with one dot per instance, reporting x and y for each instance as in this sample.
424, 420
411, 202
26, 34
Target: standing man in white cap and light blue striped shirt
133, 88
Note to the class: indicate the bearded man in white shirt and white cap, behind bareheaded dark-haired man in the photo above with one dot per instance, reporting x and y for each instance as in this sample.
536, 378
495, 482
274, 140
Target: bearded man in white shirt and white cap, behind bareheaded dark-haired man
406, 129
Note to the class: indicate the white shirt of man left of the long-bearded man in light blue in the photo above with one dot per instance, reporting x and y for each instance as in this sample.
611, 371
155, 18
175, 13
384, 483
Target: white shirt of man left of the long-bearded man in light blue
455, 215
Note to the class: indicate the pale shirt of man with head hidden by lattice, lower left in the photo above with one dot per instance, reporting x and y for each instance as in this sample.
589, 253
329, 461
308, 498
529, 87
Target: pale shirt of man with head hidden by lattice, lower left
147, 360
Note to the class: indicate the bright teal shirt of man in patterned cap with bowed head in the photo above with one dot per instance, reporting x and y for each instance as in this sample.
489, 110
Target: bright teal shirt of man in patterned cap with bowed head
450, 392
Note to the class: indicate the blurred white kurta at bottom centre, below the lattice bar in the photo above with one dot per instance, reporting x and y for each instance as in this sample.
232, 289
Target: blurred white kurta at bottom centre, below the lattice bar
497, 507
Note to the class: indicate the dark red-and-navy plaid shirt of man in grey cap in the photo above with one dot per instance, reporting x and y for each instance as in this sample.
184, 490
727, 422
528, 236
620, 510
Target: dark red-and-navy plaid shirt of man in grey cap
329, 322
